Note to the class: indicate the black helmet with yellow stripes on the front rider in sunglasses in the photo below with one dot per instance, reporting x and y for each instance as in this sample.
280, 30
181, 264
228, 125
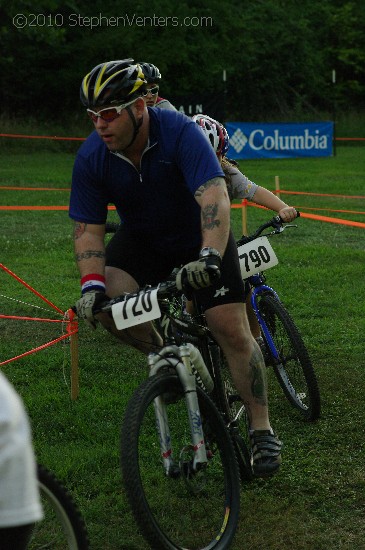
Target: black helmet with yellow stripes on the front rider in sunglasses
112, 82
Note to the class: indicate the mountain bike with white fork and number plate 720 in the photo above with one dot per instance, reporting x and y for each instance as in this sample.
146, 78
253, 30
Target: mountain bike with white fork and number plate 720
180, 442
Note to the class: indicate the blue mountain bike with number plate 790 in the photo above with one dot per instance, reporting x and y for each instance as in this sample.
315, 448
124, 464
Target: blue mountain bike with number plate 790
283, 347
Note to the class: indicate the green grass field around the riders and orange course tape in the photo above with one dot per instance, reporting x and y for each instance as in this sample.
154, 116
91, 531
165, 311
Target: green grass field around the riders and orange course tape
317, 500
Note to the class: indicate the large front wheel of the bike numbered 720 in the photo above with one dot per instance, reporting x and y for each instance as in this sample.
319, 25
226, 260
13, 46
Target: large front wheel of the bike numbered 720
183, 509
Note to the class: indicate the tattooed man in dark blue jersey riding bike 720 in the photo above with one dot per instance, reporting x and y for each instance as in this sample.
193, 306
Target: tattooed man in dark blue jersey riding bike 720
167, 184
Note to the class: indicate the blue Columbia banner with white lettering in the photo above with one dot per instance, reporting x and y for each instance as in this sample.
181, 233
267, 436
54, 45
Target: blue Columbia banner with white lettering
286, 140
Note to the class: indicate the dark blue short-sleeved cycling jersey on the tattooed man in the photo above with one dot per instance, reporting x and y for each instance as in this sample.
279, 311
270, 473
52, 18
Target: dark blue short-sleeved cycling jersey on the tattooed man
157, 201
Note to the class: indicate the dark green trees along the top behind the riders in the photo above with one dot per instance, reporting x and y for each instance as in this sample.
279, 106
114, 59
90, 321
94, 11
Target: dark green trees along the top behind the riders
278, 55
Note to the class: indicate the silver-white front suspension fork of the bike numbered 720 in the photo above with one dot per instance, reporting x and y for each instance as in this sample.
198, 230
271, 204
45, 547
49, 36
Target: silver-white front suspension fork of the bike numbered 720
182, 366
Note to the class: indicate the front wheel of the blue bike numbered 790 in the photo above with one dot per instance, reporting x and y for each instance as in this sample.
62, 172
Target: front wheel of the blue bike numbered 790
293, 369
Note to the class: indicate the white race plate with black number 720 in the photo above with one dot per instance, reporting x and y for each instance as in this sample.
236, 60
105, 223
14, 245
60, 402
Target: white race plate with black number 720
136, 310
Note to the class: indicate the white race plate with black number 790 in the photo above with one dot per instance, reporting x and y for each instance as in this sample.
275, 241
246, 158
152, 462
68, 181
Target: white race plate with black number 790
256, 256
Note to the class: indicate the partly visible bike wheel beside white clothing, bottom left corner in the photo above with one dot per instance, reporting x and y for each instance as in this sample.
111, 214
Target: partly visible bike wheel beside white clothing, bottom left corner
63, 527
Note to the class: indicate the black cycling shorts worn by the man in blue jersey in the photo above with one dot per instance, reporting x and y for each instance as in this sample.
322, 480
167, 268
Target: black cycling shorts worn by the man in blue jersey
147, 266
